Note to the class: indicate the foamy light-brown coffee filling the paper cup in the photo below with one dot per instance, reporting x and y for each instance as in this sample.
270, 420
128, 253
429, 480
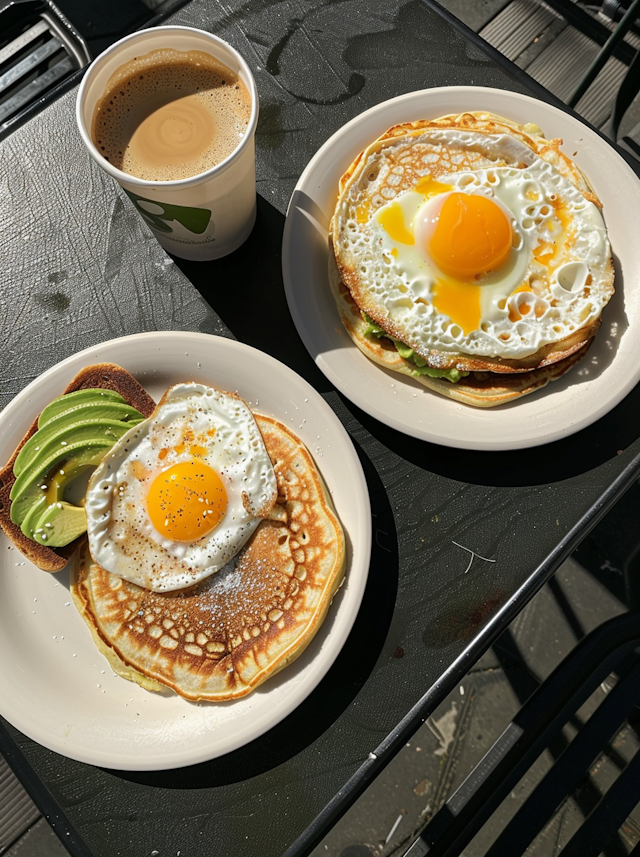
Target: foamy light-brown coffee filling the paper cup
170, 115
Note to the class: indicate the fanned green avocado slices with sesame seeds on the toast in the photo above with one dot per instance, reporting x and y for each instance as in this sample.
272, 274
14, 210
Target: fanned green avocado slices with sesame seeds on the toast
74, 434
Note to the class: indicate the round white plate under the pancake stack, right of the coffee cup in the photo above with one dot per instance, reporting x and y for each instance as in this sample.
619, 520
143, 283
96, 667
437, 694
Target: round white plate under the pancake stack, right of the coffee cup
608, 372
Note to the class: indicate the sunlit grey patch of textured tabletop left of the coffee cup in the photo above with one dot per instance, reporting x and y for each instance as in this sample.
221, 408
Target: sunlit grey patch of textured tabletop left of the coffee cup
78, 265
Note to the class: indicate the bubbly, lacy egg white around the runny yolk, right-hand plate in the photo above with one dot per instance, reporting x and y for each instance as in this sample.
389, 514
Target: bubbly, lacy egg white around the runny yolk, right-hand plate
527, 302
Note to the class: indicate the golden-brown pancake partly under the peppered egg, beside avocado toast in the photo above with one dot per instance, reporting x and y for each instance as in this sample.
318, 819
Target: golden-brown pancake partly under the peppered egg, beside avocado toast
220, 639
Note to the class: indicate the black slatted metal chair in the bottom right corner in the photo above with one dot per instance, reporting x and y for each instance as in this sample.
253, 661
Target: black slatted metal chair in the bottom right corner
613, 648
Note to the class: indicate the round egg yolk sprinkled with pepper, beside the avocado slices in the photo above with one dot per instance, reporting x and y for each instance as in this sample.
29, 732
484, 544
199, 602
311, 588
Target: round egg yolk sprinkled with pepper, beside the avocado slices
186, 501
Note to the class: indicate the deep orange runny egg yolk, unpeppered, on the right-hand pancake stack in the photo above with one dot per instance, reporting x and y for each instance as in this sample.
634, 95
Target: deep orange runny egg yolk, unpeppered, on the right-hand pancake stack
472, 236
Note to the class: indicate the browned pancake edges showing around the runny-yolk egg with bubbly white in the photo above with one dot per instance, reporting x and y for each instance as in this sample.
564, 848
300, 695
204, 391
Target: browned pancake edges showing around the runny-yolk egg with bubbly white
491, 380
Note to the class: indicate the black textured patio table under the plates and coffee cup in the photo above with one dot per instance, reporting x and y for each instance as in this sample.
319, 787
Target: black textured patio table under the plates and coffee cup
79, 267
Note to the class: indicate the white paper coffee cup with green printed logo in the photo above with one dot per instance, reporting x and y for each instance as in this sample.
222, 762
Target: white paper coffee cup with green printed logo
204, 216
